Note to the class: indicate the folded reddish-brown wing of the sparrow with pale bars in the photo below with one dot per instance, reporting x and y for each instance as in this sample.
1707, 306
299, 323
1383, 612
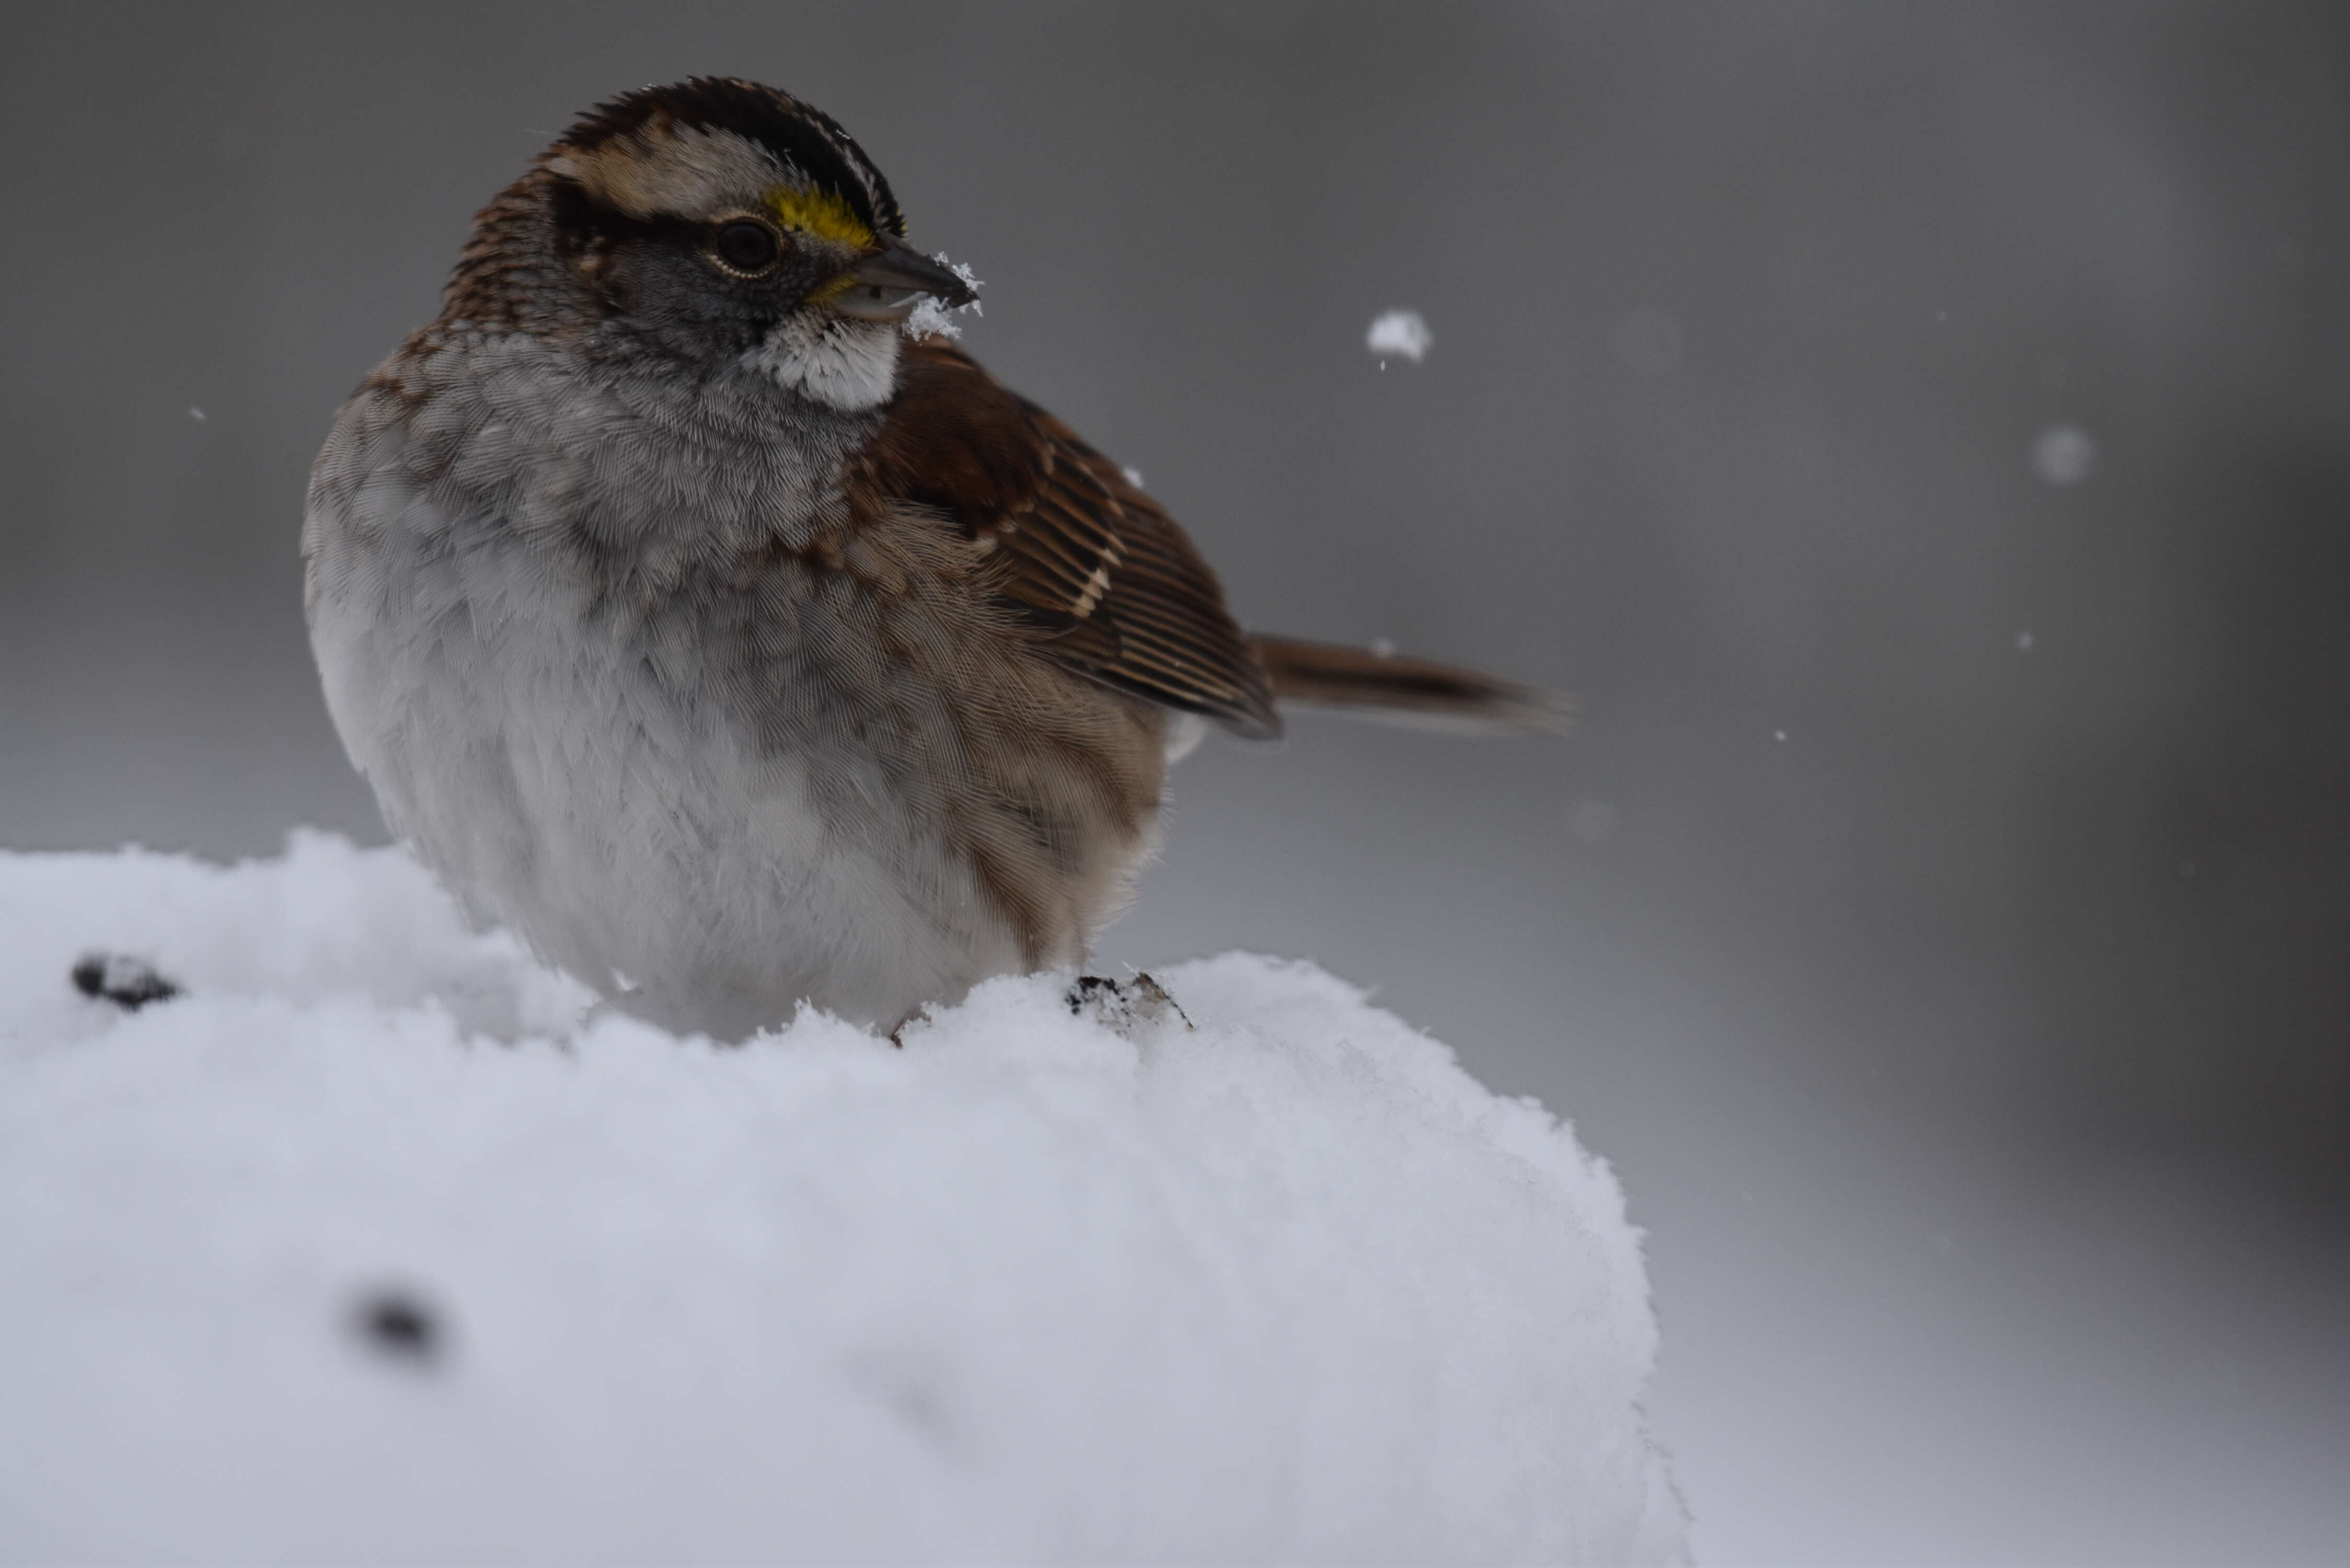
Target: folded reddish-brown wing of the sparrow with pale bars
1108, 582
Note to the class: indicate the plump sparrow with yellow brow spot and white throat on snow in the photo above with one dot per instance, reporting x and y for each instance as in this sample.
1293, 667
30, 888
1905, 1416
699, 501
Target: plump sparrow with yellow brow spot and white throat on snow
701, 612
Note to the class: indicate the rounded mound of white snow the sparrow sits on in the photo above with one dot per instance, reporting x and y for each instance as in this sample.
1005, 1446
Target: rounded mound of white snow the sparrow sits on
377, 1245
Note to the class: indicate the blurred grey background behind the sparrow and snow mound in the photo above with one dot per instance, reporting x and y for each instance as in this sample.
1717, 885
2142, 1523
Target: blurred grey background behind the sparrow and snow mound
1919, 431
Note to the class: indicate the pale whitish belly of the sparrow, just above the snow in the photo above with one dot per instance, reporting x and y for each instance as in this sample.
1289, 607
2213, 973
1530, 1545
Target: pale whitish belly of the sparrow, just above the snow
636, 840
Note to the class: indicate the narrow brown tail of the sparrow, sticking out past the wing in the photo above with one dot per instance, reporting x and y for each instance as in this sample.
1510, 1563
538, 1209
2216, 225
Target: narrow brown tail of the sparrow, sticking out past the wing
1409, 690
